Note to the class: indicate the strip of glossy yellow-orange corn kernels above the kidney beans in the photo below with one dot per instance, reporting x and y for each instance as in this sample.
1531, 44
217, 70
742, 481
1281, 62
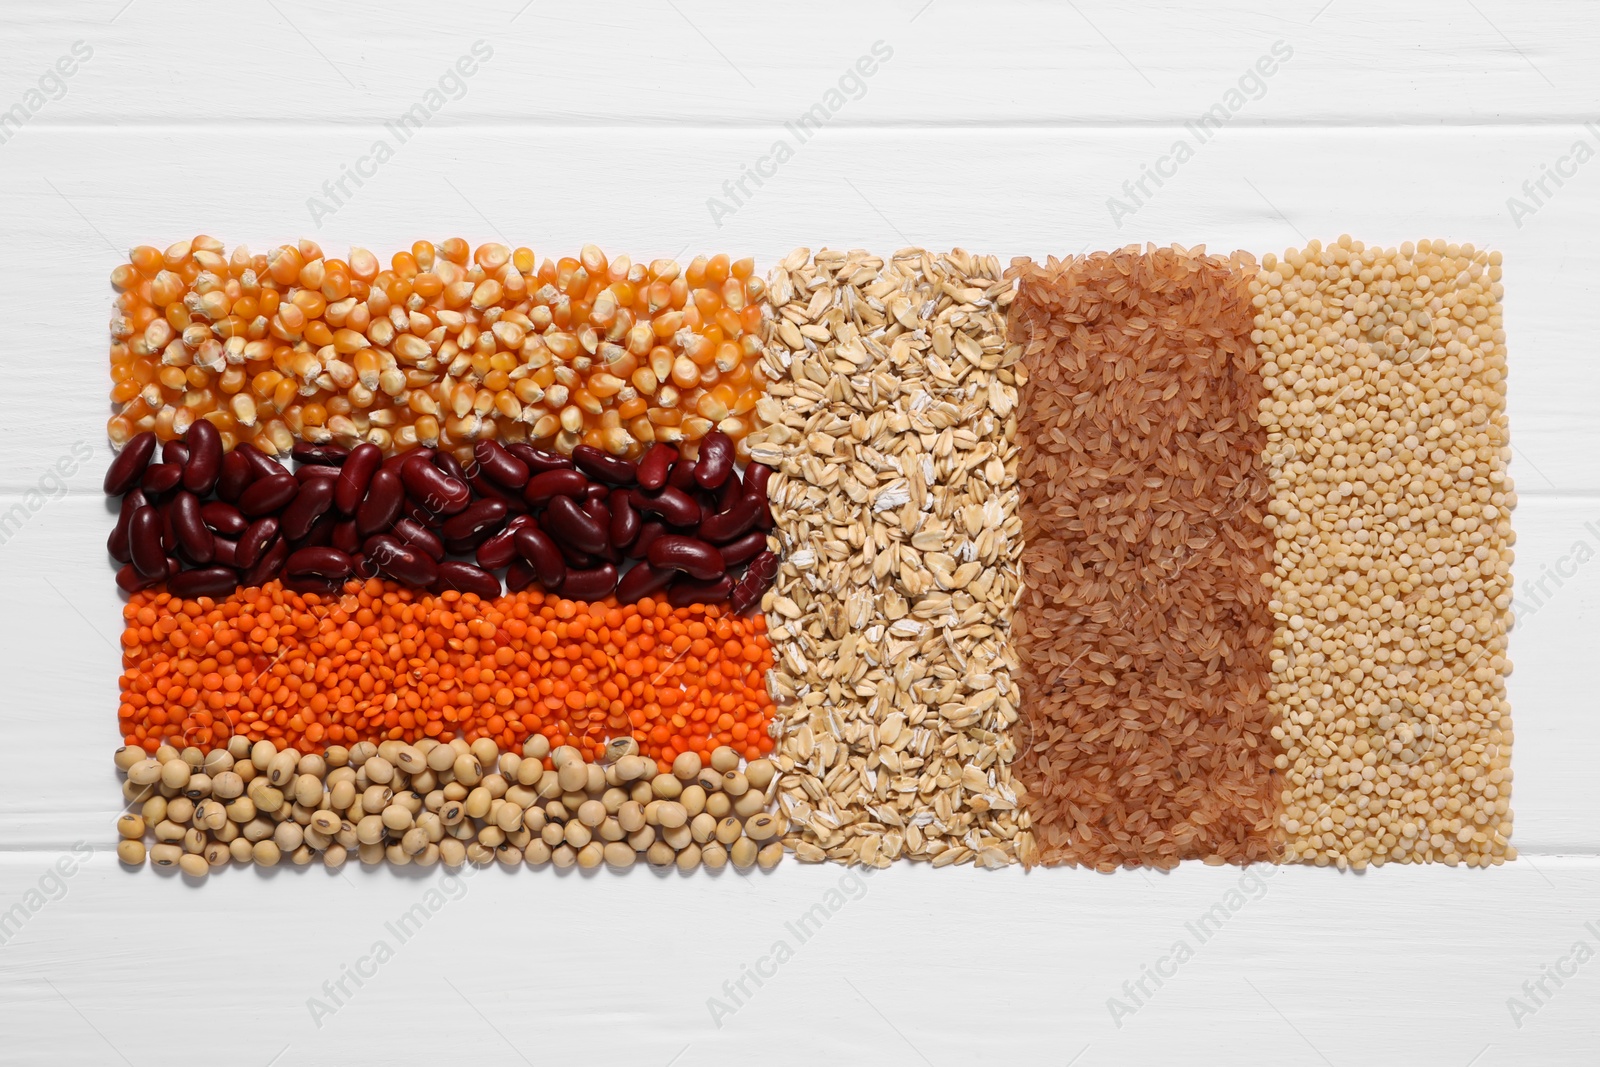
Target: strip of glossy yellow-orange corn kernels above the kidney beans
446, 348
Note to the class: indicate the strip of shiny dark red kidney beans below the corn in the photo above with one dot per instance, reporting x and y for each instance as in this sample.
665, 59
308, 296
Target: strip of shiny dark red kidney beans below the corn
585, 527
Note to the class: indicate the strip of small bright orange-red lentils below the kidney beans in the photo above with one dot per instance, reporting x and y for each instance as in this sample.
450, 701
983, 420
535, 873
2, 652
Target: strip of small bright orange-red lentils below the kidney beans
388, 663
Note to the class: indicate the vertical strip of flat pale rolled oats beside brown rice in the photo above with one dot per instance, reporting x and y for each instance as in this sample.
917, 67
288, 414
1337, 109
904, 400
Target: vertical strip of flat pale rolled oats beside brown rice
890, 422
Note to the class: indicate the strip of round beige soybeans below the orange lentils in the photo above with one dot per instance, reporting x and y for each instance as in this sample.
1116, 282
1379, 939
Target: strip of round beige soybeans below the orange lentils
540, 805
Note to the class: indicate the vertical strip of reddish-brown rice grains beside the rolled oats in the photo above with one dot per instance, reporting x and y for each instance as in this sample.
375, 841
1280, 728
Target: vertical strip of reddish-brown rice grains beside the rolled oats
1143, 629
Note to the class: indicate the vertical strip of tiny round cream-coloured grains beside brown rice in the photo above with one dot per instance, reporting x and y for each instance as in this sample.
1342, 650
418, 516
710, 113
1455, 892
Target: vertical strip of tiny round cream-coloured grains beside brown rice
1393, 589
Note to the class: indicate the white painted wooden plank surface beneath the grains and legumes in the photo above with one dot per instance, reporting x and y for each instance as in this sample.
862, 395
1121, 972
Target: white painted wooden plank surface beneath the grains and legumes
998, 127
